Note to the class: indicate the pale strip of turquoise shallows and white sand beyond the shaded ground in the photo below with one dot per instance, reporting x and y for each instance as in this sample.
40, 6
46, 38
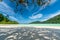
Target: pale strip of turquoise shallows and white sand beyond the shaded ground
54, 26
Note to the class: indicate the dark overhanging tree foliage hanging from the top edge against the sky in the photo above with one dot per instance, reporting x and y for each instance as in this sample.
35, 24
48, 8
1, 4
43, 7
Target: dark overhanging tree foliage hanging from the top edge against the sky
26, 3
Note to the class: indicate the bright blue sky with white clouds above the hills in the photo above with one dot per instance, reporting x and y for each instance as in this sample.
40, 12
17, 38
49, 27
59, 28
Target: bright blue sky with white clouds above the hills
30, 13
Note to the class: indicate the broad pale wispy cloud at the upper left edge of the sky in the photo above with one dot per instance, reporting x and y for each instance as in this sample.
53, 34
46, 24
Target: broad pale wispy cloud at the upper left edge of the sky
5, 8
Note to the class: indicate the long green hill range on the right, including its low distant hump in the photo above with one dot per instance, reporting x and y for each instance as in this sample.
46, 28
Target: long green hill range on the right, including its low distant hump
54, 20
